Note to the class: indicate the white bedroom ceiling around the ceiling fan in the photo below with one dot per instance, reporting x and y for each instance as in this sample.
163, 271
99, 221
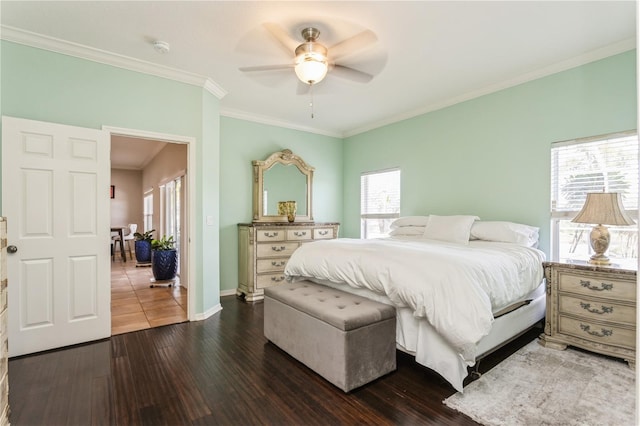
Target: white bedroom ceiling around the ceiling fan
428, 55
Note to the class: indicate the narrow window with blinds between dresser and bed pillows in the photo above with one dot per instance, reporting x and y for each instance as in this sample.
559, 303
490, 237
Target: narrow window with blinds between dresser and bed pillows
379, 202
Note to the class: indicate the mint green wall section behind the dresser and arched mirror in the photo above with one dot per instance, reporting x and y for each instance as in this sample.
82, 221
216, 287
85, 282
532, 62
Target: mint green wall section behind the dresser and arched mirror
241, 142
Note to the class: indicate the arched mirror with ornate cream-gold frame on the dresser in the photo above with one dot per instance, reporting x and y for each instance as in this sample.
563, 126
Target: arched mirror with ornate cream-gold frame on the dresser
283, 176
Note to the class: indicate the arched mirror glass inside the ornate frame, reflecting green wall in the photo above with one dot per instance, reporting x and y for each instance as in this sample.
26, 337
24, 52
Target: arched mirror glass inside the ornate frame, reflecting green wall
284, 183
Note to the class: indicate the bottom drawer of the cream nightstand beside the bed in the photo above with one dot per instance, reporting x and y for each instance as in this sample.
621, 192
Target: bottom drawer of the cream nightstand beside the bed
599, 333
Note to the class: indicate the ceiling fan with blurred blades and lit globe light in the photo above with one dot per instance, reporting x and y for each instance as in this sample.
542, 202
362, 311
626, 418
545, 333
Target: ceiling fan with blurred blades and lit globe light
312, 60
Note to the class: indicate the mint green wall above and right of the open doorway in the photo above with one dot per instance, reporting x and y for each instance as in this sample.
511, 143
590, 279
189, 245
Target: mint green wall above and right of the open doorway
46, 86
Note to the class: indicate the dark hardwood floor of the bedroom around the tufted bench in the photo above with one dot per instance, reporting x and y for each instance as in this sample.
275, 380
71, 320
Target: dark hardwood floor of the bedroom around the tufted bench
221, 371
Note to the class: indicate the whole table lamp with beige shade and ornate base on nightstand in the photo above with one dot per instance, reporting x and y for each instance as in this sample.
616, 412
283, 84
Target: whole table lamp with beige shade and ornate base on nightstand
602, 208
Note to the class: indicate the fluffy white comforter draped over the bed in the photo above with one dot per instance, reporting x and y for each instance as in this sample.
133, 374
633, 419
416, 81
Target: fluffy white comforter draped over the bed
455, 287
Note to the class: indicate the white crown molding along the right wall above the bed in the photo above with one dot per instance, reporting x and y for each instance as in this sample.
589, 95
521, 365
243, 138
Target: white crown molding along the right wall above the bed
592, 56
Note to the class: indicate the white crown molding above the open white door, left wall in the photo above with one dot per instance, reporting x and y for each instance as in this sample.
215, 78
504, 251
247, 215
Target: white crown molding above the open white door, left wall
28, 38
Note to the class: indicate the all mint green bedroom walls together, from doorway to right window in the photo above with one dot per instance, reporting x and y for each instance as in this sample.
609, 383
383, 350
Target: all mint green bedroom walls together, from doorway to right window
488, 156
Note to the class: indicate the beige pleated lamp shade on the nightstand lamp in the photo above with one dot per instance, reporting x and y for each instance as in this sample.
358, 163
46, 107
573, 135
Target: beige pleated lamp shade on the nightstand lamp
603, 208
